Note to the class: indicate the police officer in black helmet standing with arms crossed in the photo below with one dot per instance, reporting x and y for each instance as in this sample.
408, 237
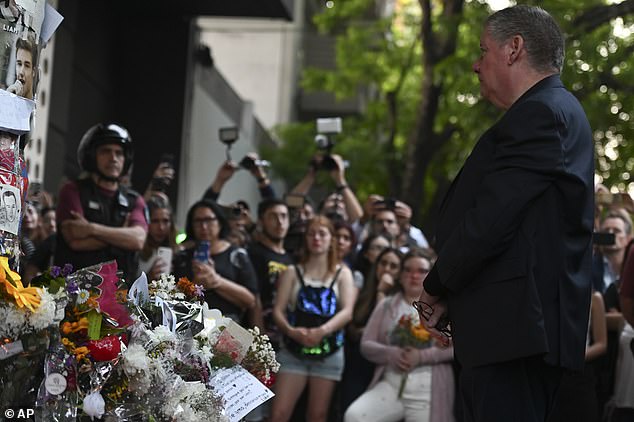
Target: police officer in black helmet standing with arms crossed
98, 218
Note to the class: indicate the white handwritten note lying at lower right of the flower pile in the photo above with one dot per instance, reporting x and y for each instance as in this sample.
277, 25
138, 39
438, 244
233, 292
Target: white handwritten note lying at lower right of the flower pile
241, 391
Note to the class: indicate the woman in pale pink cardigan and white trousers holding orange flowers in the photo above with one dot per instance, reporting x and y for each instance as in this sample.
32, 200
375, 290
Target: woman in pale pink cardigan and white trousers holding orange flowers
413, 379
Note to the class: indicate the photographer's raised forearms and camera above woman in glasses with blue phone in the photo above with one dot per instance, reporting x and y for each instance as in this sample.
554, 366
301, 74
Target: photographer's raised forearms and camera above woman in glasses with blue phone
250, 162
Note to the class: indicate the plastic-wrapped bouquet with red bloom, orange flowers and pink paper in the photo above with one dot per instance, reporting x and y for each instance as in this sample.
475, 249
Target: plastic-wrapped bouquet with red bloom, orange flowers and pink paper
92, 338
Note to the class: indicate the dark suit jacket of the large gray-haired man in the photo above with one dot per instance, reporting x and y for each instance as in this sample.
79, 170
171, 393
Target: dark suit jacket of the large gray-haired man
514, 235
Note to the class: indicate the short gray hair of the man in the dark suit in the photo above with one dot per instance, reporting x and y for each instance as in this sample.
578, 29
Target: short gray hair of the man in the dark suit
543, 39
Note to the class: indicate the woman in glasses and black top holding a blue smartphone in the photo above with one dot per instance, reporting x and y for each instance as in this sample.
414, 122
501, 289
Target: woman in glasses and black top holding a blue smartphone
225, 271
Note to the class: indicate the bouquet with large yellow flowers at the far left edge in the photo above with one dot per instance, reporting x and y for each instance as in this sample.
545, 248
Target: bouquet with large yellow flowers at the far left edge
29, 316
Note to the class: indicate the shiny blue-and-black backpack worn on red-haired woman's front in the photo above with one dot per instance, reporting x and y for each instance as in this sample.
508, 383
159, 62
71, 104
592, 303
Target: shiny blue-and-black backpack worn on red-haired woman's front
315, 306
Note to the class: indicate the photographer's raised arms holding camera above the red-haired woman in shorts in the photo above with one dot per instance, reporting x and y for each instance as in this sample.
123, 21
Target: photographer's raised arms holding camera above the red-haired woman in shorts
351, 210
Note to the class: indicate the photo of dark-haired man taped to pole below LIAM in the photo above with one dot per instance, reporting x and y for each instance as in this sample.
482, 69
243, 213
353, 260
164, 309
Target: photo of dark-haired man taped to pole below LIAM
18, 64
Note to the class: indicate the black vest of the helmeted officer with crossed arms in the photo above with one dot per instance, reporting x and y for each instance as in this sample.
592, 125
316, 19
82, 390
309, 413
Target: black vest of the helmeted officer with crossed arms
108, 211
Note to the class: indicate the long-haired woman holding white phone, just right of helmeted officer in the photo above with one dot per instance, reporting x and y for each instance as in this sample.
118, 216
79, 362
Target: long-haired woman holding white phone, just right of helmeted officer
156, 255
